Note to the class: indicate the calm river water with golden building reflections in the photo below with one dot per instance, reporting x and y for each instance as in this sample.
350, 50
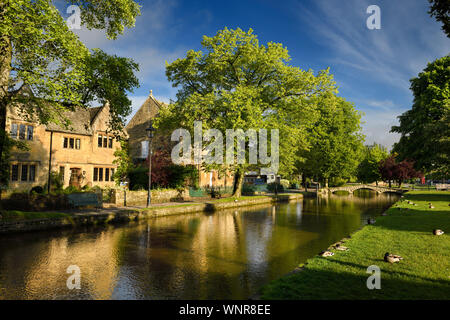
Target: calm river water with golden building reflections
225, 255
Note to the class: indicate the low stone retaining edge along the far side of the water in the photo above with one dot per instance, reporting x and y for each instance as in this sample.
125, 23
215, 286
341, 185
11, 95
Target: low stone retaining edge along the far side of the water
126, 215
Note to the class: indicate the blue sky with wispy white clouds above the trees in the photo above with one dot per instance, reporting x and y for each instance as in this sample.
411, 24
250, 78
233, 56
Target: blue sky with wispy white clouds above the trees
372, 67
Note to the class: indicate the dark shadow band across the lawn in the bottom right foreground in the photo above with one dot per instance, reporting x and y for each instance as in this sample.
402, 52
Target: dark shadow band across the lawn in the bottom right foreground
327, 285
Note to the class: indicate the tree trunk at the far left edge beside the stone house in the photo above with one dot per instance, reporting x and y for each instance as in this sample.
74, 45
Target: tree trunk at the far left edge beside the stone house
5, 70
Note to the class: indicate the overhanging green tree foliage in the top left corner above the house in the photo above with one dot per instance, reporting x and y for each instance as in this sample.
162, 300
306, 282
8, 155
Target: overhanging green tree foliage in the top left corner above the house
39, 52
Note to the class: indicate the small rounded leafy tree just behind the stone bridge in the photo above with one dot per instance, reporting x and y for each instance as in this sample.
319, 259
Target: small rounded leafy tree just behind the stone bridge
368, 168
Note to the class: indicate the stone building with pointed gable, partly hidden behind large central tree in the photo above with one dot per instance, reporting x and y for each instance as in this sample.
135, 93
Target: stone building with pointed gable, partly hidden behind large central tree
138, 142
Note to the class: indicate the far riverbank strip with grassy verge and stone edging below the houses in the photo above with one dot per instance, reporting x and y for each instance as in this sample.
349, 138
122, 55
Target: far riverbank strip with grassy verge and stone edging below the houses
19, 221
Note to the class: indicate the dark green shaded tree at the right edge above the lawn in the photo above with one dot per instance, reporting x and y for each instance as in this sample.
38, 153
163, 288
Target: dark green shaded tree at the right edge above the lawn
425, 129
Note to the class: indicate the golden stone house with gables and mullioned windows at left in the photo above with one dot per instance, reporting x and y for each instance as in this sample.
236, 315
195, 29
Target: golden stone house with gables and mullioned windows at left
82, 153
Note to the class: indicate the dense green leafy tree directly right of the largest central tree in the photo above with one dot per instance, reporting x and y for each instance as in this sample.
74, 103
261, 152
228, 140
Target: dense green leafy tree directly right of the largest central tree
335, 141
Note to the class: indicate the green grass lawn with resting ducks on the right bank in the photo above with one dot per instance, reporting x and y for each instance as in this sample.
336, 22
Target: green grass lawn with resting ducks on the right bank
423, 274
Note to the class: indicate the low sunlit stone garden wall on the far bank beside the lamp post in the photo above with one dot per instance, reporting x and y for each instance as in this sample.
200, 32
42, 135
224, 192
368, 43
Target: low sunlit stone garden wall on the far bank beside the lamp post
139, 198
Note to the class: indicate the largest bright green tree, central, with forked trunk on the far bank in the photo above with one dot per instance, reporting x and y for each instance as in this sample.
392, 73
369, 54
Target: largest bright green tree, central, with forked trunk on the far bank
237, 83
